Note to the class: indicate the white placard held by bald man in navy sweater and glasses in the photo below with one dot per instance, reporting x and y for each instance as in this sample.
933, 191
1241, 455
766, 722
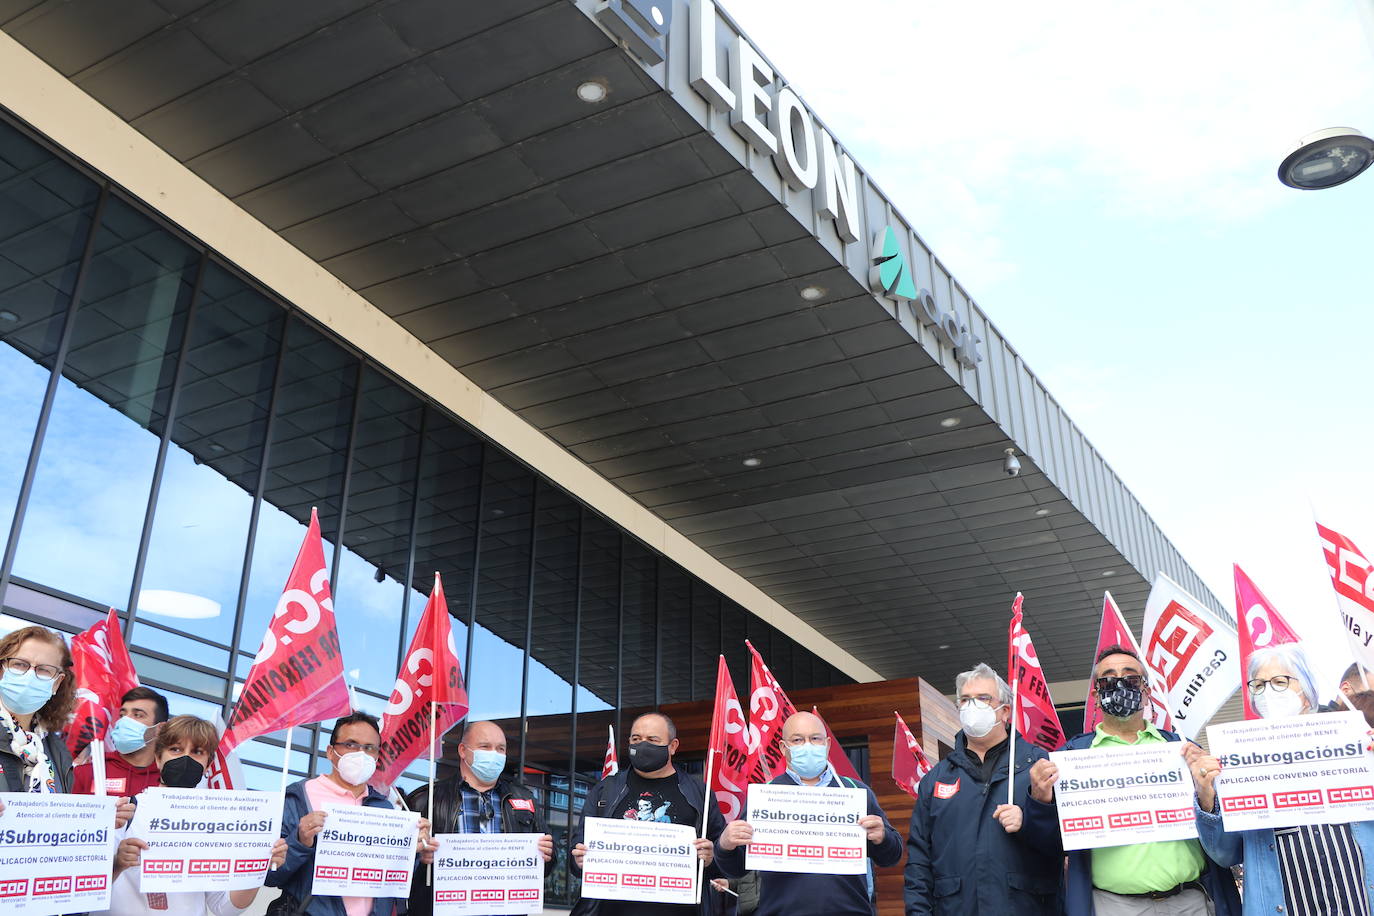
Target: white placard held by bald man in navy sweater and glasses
807, 829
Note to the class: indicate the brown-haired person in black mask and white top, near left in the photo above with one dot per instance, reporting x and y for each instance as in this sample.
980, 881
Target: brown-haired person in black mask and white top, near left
183, 751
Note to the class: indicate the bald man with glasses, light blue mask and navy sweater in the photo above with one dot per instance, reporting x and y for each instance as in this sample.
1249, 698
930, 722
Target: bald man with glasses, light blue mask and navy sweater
807, 746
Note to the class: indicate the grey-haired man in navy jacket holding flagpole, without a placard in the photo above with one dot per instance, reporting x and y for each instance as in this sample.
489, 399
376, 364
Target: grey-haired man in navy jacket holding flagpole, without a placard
971, 852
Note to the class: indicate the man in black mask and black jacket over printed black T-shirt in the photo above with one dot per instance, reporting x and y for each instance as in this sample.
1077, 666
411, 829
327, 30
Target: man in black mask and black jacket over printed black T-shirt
655, 788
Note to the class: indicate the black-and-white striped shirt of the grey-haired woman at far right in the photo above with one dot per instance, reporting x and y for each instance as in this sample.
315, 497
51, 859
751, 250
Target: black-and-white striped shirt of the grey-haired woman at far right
1322, 870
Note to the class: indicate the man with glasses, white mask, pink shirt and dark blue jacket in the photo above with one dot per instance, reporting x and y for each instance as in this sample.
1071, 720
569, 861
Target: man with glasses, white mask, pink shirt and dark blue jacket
352, 753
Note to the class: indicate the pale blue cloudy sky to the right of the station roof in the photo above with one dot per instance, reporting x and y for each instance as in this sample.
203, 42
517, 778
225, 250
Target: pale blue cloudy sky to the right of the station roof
1101, 178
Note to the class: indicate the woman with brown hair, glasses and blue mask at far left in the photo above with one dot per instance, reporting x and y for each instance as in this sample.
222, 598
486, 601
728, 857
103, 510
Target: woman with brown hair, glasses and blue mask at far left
36, 698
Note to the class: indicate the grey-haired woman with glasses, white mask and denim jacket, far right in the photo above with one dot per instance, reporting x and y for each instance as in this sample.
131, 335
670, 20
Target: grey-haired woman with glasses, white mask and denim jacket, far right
1299, 871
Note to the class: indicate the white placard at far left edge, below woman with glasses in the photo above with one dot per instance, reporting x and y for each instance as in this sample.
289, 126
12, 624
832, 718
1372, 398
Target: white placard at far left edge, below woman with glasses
57, 854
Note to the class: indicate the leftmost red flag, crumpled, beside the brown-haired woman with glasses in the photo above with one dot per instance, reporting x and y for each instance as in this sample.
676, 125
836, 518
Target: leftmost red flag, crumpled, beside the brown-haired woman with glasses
104, 674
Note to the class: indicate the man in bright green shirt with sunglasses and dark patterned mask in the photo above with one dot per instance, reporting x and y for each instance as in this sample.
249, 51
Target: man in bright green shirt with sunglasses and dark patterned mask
1171, 878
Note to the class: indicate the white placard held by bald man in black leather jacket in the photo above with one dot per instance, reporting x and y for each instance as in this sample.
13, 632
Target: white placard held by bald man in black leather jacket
488, 874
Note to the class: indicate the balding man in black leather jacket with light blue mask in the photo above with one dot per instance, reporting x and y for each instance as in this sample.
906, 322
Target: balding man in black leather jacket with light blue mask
479, 800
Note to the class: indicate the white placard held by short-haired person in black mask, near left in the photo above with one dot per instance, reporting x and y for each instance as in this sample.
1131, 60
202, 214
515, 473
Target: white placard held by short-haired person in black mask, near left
205, 840
